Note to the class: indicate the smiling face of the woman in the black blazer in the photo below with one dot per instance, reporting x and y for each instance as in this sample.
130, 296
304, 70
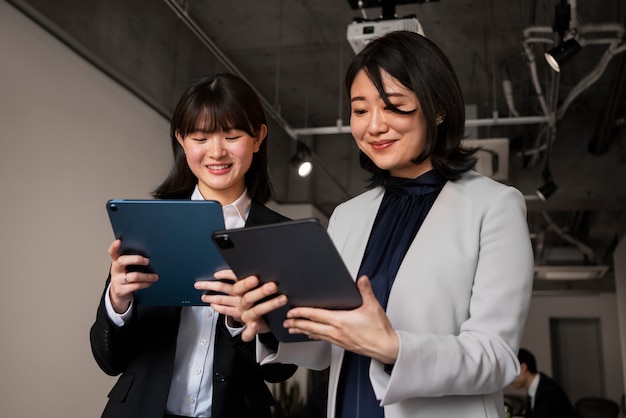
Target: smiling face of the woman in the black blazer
220, 160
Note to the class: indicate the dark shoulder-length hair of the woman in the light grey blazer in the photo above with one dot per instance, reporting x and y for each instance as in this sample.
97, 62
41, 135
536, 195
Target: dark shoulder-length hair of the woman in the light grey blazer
419, 65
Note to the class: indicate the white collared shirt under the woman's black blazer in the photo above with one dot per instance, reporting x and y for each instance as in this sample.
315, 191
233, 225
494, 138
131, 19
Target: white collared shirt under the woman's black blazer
191, 386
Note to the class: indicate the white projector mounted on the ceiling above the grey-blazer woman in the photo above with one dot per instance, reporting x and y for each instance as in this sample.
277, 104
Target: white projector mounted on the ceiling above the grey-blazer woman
361, 32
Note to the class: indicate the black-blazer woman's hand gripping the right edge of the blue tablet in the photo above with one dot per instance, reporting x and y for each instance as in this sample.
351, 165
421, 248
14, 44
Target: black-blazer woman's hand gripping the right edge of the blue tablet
220, 295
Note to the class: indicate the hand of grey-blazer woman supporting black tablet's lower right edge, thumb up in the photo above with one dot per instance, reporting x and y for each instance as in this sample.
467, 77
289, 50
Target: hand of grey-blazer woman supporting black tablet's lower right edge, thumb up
365, 330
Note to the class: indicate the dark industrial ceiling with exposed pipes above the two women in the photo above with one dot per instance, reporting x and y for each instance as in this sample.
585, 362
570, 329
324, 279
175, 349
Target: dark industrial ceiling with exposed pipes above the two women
294, 52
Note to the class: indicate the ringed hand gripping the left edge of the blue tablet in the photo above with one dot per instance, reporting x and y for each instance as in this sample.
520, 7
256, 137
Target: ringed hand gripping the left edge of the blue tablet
124, 283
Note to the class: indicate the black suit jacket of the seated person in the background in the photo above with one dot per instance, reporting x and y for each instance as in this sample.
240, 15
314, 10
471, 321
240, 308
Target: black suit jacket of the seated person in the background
551, 401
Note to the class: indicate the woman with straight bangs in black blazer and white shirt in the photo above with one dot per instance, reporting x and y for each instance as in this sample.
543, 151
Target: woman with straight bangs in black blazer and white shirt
191, 361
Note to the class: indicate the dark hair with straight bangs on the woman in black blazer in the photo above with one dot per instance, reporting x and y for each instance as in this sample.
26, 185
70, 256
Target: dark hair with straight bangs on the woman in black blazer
214, 103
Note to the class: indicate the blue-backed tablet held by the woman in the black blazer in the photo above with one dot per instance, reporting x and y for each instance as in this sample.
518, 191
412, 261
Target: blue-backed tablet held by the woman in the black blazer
176, 236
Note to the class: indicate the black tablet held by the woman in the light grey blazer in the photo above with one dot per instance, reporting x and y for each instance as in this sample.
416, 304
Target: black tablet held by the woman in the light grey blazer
300, 257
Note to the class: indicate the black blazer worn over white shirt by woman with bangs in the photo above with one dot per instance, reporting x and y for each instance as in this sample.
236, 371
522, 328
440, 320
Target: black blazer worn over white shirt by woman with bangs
143, 352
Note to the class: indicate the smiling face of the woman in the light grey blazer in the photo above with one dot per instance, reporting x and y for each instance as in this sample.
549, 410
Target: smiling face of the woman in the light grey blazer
390, 139
